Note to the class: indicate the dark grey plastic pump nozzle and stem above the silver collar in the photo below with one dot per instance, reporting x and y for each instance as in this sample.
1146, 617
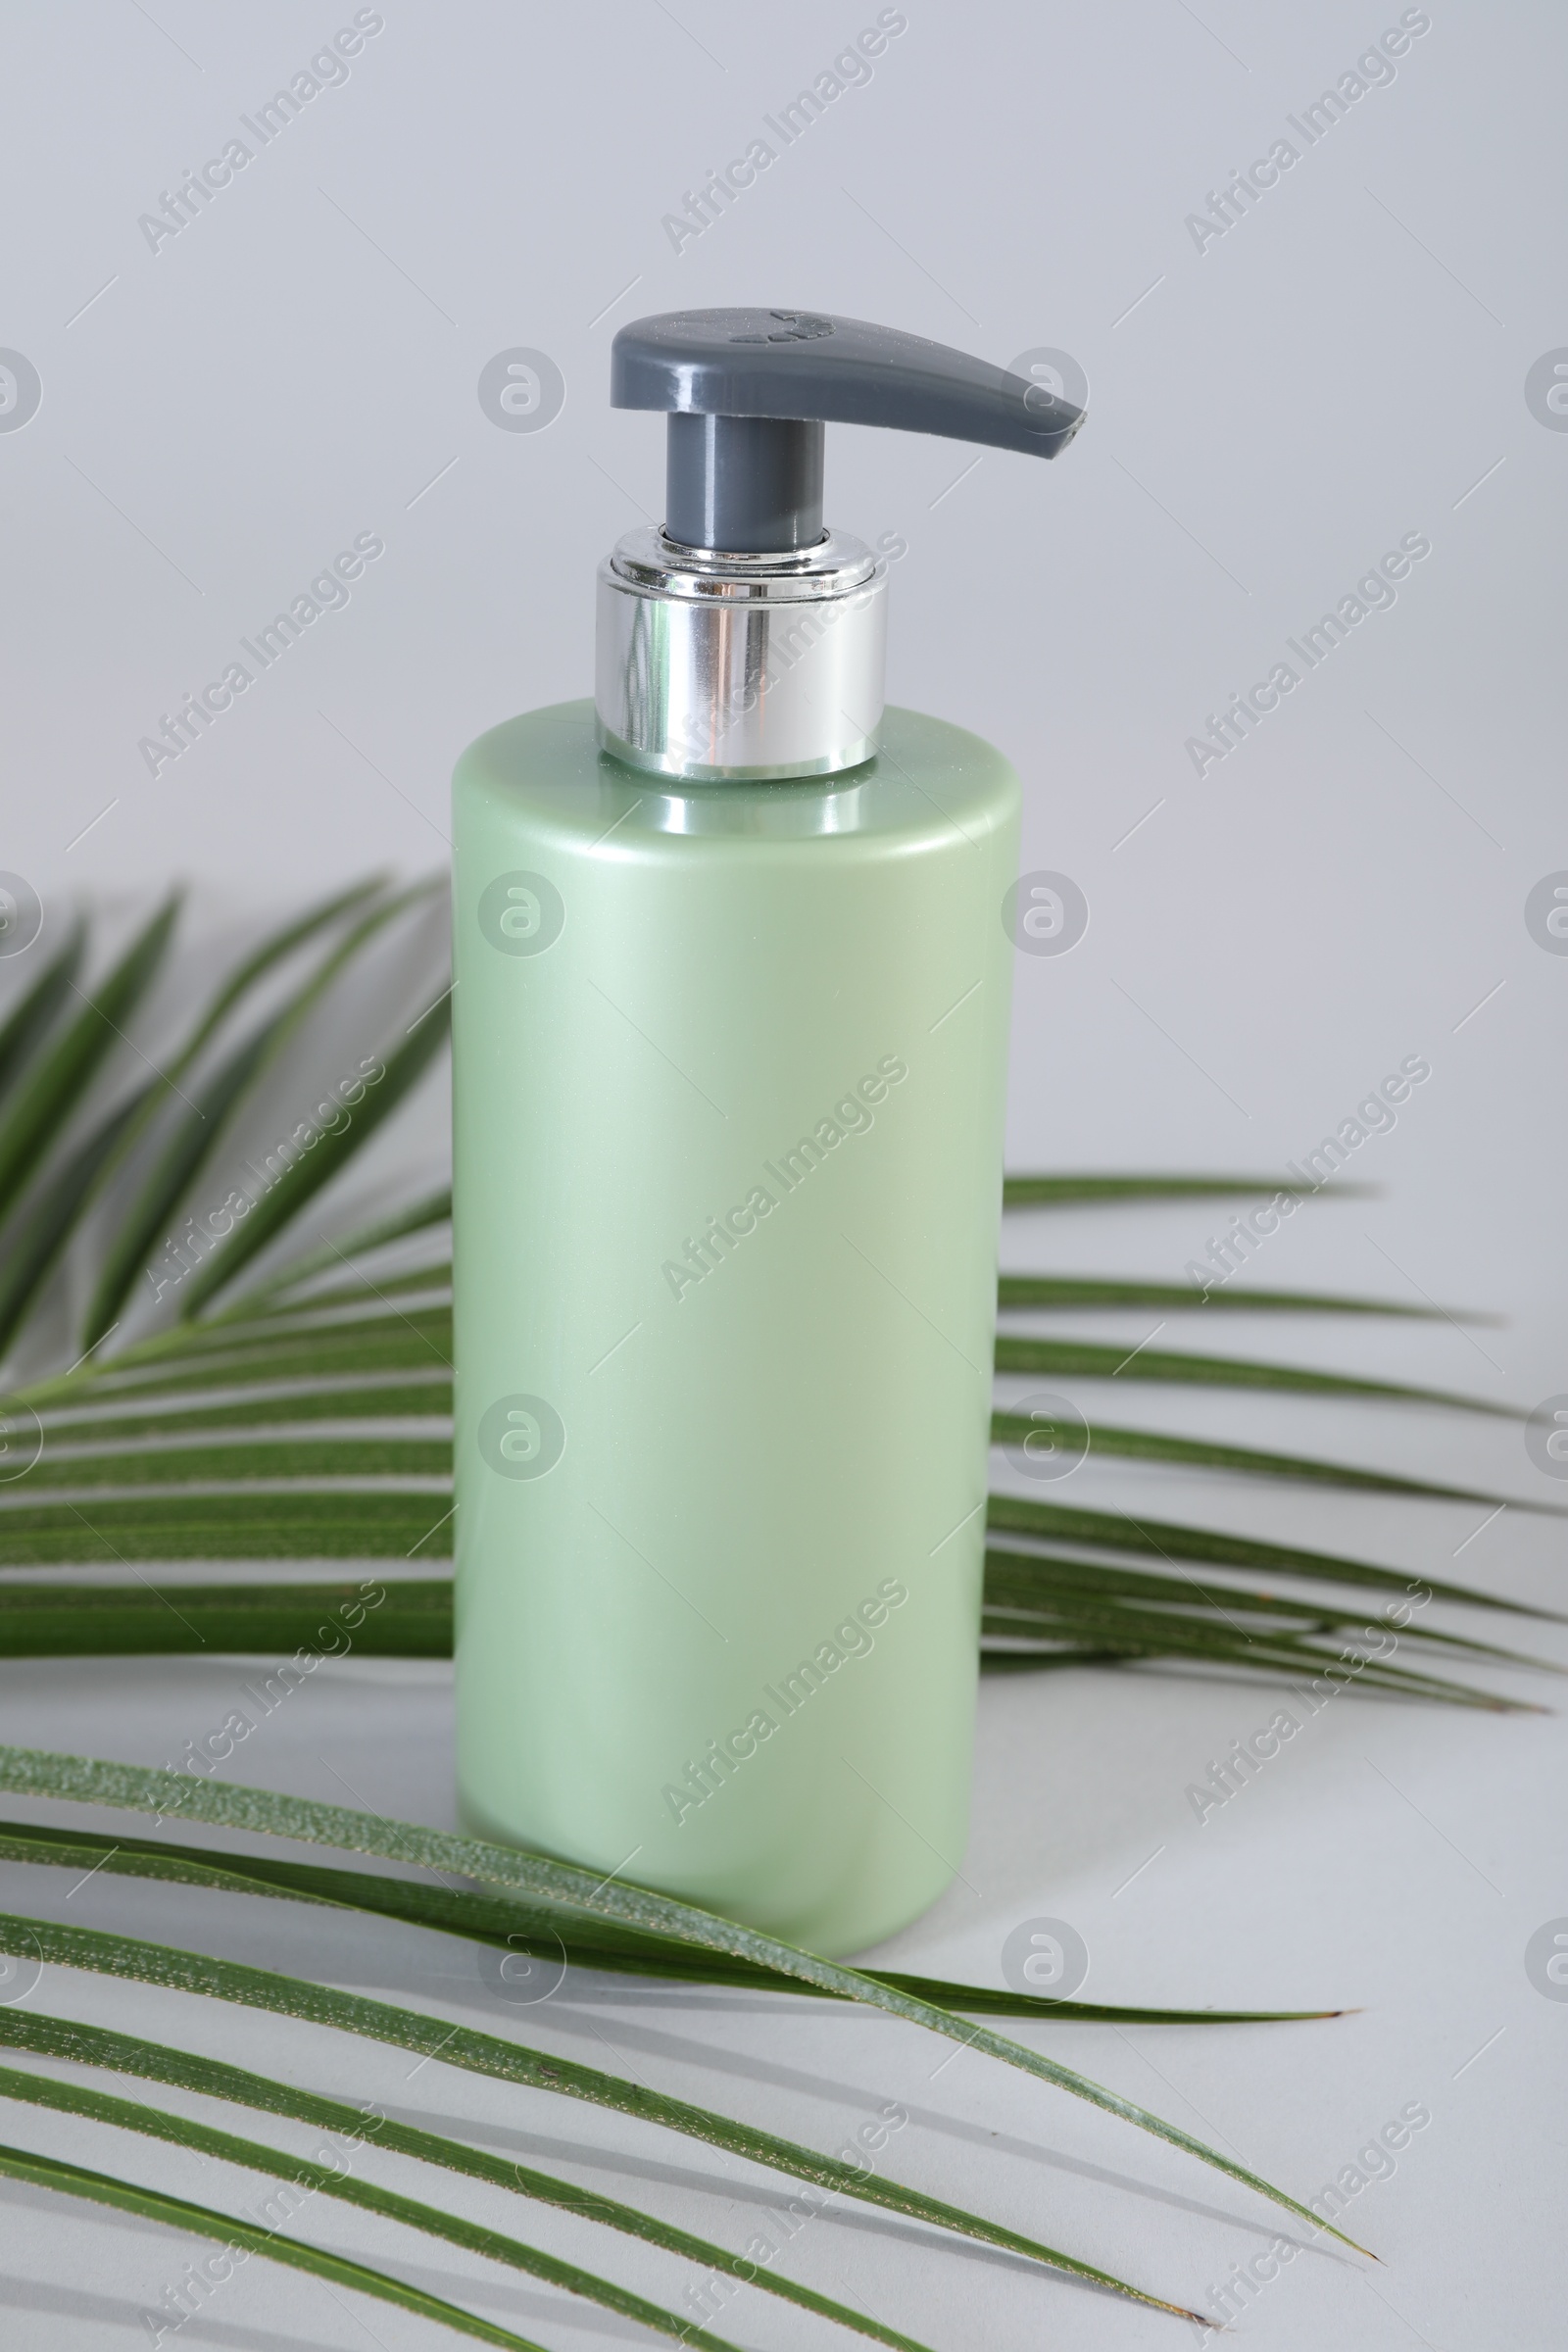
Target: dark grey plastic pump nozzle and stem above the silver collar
749, 394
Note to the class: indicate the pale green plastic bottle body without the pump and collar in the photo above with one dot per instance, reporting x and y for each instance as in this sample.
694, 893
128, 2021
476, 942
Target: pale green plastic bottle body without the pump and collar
728, 1180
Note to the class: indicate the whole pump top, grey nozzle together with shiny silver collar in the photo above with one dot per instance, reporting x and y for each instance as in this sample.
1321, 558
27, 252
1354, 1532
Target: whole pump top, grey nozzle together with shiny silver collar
706, 662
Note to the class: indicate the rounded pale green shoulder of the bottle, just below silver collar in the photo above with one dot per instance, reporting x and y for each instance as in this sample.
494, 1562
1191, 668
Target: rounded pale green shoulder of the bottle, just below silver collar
547, 770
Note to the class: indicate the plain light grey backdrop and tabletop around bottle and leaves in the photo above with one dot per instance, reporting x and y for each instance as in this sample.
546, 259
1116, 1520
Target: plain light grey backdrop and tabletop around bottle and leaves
1266, 420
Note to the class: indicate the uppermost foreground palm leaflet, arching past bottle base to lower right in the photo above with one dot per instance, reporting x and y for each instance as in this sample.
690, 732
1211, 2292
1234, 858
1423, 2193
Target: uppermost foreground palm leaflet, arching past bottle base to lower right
232, 1805
